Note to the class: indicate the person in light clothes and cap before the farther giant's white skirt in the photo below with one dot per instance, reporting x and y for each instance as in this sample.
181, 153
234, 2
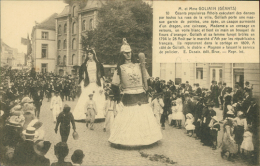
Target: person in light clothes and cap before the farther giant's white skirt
90, 111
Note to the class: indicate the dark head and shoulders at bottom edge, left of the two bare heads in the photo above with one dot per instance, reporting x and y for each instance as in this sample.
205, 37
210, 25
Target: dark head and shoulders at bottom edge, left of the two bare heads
61, 150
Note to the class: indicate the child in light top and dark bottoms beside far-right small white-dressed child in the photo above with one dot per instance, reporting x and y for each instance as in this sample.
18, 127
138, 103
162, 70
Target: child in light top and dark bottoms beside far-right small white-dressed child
240, 126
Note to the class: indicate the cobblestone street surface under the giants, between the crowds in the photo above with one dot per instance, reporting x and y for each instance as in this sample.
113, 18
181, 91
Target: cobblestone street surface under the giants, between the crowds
175, 145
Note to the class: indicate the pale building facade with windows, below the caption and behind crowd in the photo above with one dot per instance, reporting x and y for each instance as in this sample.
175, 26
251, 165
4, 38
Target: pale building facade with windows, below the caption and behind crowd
205, 73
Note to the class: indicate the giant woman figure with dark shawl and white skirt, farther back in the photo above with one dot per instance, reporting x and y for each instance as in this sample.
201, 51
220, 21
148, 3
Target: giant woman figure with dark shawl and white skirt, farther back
91, 75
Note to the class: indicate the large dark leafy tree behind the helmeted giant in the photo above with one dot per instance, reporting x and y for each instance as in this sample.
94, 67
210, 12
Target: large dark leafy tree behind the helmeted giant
132, 20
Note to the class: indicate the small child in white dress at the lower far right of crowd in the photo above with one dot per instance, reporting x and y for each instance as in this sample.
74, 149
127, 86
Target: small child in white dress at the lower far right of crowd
247, 144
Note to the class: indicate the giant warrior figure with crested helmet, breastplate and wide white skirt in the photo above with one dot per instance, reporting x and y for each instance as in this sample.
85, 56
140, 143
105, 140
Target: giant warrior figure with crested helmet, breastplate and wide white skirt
135, 124
